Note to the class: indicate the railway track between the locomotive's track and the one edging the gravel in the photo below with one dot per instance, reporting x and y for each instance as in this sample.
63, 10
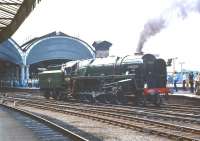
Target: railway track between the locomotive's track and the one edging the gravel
143, 112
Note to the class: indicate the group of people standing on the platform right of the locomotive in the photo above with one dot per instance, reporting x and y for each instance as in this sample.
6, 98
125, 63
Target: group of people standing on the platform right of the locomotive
190, 81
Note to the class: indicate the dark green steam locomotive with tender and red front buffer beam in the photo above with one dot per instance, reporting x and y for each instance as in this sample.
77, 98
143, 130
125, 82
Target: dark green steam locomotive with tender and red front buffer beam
136, 79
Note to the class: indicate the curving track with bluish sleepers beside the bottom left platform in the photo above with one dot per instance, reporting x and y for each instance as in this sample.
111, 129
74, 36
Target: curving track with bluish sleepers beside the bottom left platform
43, 128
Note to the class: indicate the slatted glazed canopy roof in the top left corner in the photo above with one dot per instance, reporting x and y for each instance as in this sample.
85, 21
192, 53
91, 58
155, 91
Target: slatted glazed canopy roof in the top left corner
12, 15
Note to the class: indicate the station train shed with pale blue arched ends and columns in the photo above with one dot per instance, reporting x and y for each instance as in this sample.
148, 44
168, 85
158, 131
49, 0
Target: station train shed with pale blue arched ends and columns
19, 64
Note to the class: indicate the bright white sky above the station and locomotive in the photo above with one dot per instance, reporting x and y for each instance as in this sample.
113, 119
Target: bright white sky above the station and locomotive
121, 22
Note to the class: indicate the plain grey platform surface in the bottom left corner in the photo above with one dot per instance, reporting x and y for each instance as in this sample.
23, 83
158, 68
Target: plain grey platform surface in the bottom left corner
12, 130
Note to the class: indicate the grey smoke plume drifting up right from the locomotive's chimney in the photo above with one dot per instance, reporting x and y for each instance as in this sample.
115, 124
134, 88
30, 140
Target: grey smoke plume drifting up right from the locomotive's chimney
178, 9
